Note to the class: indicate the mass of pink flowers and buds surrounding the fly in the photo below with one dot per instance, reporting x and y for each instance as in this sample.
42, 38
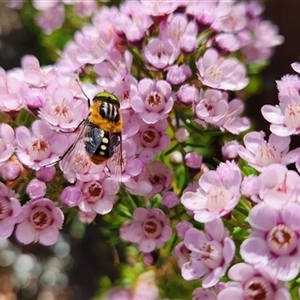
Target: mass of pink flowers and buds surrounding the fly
190, 54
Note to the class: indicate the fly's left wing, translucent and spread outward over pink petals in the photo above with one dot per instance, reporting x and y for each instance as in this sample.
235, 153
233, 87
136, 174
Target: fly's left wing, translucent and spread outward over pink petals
76, 160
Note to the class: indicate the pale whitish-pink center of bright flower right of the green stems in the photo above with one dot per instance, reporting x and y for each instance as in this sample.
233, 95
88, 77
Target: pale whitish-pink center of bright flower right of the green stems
217, 198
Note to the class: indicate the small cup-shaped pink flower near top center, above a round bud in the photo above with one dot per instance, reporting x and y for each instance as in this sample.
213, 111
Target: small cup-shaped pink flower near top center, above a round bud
159, 53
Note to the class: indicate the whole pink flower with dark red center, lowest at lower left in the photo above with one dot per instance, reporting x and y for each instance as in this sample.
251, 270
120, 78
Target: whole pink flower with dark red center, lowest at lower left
39, 221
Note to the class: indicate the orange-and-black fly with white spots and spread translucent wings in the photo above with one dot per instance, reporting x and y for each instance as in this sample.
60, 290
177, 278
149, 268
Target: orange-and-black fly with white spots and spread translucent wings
98, 140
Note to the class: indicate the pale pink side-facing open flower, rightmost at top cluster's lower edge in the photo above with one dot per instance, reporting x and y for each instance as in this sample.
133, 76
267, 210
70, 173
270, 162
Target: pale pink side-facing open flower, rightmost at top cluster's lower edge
221, 73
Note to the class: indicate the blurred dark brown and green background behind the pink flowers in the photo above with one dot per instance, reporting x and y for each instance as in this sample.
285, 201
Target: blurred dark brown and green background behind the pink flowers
88, 260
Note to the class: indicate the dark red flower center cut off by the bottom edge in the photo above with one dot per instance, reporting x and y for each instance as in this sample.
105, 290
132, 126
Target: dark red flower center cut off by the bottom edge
257, 288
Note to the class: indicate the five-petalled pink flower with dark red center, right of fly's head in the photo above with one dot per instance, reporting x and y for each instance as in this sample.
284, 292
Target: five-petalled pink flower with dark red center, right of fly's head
153, 100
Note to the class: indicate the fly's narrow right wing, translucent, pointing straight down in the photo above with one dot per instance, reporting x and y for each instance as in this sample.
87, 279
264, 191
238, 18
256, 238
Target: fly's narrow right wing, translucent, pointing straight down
114, 164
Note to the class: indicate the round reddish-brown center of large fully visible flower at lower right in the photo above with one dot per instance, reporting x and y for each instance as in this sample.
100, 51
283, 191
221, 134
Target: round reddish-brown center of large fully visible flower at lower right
282, 240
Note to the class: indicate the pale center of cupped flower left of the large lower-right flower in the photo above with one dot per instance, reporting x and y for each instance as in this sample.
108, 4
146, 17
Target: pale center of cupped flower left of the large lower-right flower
211, 254
